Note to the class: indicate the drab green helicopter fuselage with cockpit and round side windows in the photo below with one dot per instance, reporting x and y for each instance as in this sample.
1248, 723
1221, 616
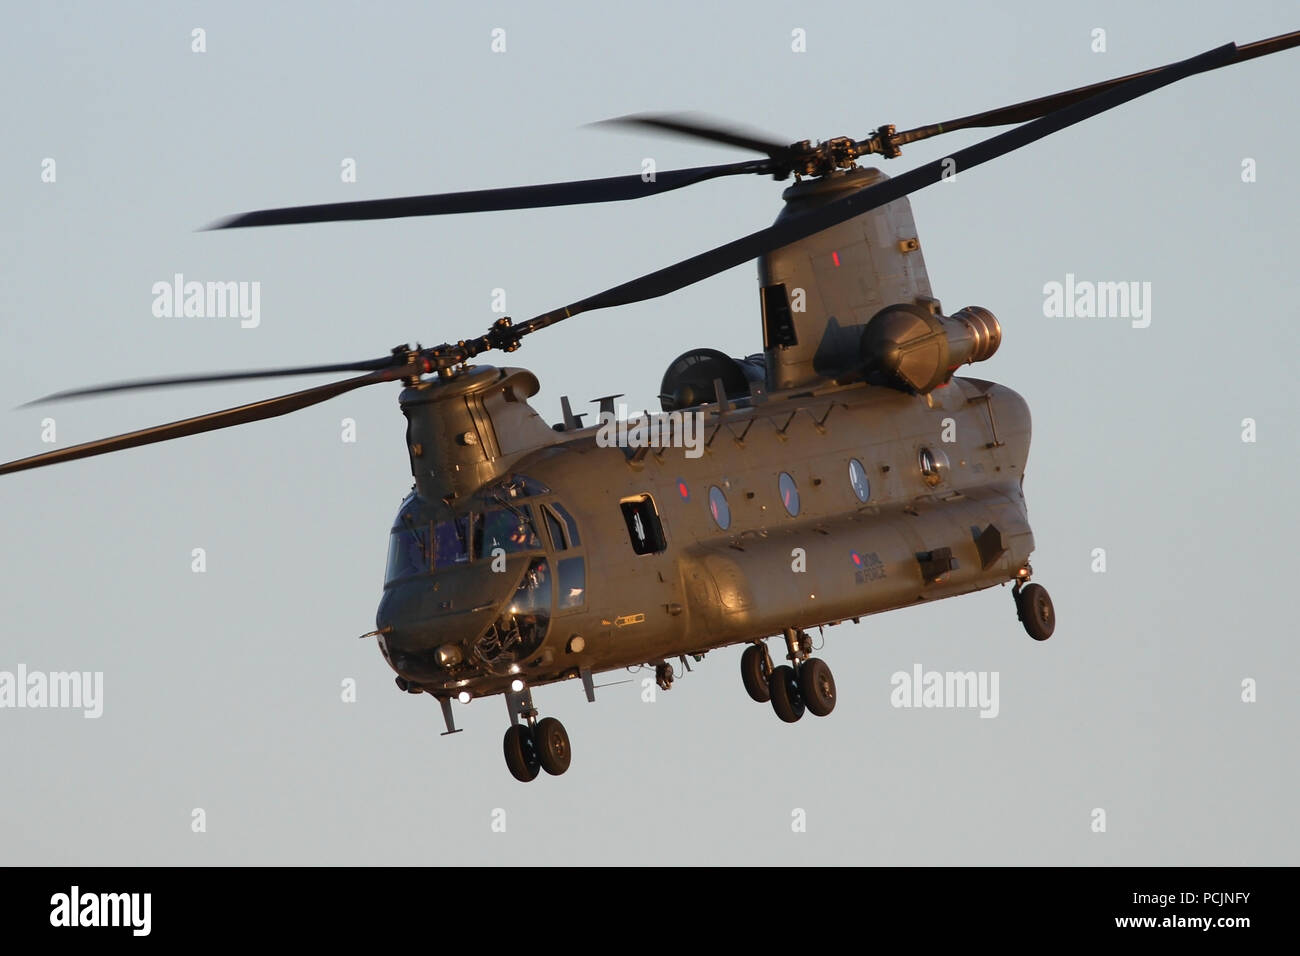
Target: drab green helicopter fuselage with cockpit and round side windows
803, 509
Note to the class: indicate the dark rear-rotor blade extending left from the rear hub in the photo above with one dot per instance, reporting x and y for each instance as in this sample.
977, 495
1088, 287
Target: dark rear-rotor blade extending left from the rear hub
609, 191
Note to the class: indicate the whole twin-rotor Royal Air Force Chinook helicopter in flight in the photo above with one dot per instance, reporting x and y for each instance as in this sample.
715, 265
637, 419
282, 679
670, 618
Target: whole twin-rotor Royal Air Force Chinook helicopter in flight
824, 491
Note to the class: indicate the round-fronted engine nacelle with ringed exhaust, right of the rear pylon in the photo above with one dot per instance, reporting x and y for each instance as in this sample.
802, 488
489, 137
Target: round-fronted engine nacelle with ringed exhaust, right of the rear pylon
909, 348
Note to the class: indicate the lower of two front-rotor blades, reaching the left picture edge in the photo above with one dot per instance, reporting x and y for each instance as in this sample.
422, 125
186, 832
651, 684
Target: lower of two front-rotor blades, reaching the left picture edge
244, 414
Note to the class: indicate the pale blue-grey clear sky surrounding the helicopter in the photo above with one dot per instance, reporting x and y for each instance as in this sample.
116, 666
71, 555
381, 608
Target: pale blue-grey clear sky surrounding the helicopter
223, 690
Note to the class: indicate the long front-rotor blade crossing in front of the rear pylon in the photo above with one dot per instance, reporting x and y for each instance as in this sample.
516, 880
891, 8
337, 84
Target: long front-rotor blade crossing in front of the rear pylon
691, 271
